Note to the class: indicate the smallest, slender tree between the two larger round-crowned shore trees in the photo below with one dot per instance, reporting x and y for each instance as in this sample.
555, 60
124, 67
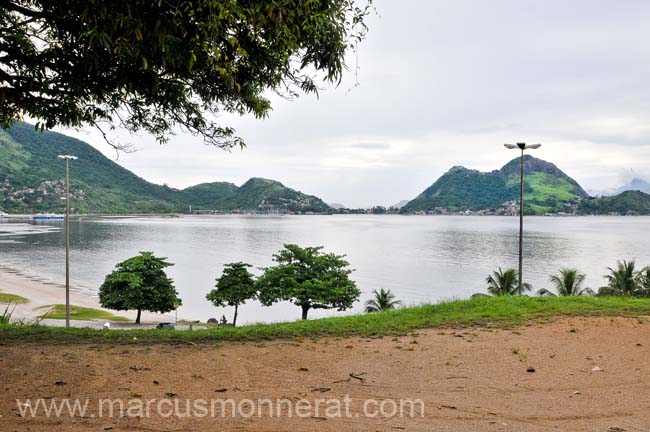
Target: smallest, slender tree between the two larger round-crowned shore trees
234, 287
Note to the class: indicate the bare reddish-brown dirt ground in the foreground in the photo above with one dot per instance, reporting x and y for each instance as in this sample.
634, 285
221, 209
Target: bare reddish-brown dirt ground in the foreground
590, 374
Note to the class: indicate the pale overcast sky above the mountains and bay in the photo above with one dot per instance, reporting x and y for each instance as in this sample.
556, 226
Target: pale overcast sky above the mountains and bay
444, 83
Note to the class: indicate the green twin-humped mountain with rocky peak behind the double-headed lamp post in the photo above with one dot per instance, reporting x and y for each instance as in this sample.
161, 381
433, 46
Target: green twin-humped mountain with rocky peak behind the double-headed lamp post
547, 189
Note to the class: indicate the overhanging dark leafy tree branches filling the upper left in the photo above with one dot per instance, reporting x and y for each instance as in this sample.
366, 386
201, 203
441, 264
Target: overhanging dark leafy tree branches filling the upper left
155, 65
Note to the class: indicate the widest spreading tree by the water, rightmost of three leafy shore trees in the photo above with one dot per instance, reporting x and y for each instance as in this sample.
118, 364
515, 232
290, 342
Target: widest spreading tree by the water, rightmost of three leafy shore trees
309, 279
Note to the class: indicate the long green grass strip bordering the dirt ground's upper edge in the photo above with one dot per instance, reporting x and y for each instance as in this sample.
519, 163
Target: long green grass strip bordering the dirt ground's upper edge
488, 312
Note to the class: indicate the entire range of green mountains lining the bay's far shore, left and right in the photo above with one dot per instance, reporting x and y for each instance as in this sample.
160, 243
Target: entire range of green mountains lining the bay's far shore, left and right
31, 180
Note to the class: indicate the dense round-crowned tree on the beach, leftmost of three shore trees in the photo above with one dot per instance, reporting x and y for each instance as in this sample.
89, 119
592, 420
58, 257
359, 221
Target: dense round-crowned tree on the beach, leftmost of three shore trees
139, 283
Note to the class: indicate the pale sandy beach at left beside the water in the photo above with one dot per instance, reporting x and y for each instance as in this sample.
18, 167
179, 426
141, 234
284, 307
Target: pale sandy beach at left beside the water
41, 293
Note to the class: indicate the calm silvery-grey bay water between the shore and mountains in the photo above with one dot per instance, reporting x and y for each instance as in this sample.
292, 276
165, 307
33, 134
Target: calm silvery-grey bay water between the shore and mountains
421, 259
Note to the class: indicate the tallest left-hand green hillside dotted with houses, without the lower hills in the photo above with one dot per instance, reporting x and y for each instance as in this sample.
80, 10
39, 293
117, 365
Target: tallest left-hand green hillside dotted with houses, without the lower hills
32, 177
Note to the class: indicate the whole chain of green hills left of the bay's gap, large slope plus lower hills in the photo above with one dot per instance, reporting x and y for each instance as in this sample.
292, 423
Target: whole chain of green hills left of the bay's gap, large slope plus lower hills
32, 180
